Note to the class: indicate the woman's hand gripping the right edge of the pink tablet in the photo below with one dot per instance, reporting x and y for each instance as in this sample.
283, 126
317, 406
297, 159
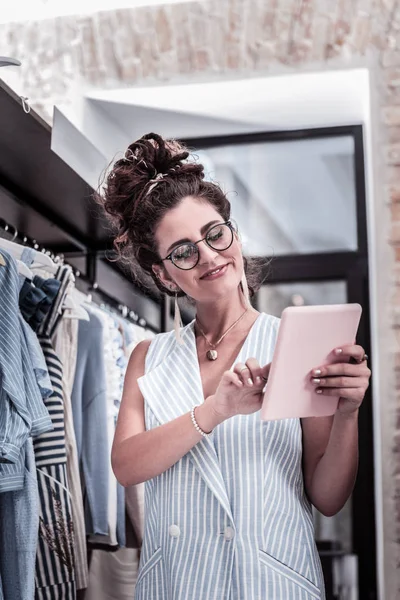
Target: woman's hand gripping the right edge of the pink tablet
349, 380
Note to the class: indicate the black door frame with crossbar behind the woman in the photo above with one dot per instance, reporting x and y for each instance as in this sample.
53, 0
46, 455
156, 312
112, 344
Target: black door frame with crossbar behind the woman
351, 267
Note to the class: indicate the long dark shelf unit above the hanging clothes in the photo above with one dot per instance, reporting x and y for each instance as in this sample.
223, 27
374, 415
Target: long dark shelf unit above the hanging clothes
46, 199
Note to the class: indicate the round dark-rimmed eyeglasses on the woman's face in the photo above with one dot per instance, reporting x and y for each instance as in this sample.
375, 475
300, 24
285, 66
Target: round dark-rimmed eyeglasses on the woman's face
186, 256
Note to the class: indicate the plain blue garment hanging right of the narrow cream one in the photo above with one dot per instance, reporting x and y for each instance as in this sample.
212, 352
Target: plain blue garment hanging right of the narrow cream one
89, 406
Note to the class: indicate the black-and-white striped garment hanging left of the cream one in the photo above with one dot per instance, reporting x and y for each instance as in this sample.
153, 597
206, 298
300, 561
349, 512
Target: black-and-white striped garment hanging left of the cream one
55, 571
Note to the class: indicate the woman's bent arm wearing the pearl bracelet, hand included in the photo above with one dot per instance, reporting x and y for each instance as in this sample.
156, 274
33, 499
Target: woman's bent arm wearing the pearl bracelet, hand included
138, 455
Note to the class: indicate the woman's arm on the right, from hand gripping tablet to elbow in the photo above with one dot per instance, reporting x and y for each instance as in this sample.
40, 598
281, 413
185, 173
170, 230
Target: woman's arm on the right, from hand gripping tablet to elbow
330, 444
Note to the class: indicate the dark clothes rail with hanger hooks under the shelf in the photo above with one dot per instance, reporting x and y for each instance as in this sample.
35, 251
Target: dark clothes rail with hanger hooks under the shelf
82, 282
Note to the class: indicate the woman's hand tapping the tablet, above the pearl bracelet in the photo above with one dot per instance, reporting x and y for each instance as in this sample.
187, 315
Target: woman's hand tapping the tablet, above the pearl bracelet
240, 392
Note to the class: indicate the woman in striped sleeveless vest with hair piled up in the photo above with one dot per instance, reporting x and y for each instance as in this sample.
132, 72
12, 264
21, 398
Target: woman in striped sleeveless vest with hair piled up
228, 497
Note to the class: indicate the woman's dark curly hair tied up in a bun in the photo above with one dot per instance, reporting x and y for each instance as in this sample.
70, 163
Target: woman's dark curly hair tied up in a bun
152, 178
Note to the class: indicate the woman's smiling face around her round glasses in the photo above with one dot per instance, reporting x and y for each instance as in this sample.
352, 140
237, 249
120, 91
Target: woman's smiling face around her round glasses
217, 273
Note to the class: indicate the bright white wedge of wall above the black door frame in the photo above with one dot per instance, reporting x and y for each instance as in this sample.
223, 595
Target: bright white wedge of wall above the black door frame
276, 102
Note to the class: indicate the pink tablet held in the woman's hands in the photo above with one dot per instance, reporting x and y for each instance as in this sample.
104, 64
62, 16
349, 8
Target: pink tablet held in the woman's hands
306, 339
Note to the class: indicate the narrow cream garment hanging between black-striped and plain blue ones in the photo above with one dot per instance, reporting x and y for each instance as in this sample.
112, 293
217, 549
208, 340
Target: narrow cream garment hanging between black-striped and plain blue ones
65, 344
